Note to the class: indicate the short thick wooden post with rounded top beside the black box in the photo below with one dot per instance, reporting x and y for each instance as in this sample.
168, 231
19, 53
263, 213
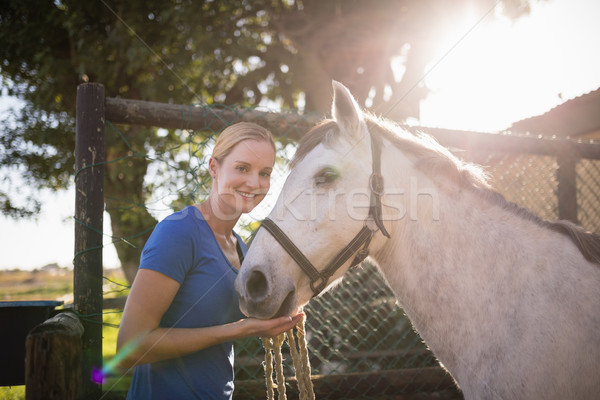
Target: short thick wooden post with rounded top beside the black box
53, 359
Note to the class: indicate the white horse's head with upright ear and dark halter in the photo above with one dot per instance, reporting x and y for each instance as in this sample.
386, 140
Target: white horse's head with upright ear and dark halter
325, 204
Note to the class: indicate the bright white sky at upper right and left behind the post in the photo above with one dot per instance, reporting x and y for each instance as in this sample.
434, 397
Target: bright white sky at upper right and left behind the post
486, 77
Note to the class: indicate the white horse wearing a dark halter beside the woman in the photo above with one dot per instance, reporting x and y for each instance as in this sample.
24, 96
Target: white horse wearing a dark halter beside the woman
508, 303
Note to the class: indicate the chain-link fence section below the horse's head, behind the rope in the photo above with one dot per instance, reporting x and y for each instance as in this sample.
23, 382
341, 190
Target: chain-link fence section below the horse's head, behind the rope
361, 345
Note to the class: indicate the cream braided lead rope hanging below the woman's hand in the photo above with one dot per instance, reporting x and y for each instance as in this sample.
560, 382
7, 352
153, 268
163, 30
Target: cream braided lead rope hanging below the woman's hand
299, 351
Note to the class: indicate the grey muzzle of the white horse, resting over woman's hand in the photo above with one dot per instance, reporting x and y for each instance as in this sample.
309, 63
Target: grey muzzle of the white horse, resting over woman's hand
261, 297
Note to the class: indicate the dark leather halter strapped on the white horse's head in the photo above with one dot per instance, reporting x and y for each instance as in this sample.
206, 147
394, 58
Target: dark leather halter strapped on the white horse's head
319, 280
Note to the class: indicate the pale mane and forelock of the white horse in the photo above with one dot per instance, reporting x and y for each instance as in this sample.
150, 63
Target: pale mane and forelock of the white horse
437, 161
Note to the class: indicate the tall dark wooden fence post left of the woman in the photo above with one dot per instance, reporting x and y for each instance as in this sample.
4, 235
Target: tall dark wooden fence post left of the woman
89, 208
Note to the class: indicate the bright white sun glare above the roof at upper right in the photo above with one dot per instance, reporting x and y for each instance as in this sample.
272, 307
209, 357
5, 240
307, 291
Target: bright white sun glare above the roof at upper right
502, 72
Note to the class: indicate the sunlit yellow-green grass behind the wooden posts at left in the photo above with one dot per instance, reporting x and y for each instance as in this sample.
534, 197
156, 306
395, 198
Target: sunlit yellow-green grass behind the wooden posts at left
57, 284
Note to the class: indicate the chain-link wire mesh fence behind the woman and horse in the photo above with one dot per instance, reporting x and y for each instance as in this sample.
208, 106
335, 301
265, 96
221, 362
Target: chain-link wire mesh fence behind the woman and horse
360, 342
